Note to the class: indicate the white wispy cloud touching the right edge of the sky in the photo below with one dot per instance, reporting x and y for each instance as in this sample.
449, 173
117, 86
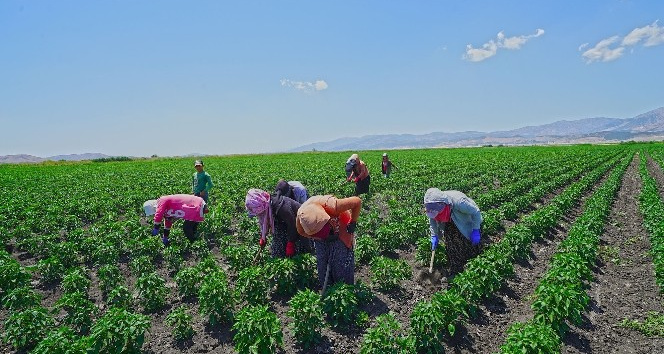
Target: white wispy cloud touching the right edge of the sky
613, 47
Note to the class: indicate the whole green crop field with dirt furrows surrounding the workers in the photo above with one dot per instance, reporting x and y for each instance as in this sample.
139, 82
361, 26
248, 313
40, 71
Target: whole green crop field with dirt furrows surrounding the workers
564, 233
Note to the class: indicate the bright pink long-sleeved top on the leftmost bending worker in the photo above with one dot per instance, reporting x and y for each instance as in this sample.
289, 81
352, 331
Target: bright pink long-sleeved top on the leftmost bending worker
179, 206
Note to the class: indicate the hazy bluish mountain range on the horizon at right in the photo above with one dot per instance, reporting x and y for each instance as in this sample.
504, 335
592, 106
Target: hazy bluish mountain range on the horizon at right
646, 126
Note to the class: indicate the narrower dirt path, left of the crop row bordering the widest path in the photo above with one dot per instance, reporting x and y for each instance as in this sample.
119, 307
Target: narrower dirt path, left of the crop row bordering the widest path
487, 332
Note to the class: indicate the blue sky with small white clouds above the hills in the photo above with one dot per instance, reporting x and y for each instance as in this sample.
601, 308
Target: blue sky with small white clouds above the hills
220, 77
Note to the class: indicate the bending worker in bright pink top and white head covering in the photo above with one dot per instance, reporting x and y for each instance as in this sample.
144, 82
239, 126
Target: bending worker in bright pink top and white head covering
177, 206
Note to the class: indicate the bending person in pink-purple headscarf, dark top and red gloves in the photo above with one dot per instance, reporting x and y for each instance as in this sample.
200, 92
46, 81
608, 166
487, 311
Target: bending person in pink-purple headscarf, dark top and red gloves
276, 214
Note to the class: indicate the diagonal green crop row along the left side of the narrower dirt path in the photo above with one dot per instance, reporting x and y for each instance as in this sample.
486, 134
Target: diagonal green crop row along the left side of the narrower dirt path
432, 319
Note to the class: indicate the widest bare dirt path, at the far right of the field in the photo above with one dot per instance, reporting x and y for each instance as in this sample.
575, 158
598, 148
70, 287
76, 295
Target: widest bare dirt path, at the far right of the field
624, 281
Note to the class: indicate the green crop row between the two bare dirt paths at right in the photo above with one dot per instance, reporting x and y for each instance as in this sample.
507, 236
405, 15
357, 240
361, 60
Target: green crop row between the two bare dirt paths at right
560, 296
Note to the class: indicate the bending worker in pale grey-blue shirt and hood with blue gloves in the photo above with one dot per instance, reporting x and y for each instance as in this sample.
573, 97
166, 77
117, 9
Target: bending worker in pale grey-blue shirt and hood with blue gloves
462, 235
